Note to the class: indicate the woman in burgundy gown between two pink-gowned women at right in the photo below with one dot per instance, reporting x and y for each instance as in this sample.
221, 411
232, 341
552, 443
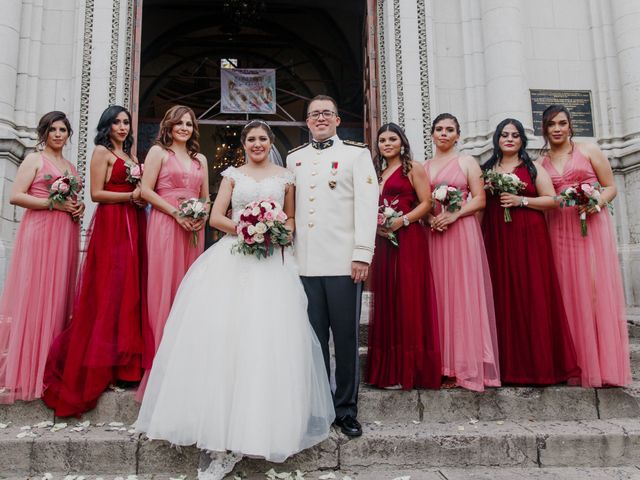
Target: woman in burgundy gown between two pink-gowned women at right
533, 333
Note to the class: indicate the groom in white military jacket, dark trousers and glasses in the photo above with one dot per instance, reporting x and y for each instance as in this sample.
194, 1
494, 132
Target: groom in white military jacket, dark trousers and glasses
336, 213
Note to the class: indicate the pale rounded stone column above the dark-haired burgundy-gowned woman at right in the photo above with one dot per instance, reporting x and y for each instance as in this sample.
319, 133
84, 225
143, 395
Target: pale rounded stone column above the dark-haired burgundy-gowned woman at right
507, 90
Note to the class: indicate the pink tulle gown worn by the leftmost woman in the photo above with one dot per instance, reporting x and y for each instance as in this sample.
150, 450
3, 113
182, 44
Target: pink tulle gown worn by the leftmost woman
38, 292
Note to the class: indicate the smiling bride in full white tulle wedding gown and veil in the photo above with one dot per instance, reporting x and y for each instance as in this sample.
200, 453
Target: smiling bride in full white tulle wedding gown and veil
239, 368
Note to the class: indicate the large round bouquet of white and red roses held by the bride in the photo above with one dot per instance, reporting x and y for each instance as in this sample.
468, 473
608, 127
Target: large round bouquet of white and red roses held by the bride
261, 228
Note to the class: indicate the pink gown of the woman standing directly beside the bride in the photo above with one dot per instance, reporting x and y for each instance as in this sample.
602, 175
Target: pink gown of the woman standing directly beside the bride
170, 248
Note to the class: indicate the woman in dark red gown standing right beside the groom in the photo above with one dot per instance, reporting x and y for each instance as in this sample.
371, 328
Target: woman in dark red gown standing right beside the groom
404, 346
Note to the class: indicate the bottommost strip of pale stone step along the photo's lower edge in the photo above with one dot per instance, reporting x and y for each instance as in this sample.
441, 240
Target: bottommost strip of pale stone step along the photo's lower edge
479, 473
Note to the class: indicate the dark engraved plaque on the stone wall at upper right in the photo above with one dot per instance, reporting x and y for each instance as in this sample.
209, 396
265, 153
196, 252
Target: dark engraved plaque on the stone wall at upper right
578, 102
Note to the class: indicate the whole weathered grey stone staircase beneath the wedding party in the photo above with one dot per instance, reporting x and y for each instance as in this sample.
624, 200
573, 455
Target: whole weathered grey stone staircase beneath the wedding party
504, 433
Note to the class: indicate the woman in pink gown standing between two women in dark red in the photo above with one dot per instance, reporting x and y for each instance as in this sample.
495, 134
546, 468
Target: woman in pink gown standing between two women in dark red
467, 323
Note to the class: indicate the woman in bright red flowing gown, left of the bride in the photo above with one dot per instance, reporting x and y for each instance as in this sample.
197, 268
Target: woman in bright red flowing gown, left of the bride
104, 342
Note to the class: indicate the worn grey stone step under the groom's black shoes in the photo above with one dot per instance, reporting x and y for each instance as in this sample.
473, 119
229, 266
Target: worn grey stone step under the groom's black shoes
528, 444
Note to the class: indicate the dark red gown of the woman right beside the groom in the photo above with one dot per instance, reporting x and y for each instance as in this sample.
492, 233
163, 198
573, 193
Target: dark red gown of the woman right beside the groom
404, 346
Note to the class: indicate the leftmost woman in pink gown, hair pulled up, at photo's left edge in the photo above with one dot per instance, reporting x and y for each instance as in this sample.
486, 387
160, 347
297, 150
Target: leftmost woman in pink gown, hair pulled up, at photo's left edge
44, 260
